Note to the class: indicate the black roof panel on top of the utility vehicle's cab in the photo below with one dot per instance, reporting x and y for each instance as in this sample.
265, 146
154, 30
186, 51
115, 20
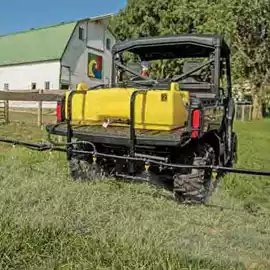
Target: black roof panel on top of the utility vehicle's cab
177, 46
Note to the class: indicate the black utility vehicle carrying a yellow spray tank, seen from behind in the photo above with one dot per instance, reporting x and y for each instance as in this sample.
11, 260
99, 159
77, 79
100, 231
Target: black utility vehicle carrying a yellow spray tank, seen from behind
167, 130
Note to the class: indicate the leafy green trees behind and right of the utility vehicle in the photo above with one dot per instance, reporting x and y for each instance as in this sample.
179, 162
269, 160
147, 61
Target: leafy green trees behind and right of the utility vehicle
243, 23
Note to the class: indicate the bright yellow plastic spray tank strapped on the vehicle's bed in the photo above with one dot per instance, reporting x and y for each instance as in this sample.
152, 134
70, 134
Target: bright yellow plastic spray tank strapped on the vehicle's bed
154, 110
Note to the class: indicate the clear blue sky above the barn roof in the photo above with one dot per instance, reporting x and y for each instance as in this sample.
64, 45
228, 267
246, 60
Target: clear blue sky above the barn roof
19, 15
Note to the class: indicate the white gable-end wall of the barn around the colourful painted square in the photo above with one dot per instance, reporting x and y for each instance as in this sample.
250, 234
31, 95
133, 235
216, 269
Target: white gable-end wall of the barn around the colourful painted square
75, 59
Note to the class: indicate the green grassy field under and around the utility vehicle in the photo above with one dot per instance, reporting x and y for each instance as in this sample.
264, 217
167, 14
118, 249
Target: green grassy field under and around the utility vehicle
50, 222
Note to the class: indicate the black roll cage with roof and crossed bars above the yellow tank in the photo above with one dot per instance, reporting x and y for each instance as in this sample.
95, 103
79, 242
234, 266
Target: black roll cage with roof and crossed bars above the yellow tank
184, 46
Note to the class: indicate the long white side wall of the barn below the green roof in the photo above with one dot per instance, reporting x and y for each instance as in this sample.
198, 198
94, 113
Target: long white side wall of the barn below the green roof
21, 77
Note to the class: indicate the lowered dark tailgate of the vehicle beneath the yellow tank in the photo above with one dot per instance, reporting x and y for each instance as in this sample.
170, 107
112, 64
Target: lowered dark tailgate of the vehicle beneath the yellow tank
174, 139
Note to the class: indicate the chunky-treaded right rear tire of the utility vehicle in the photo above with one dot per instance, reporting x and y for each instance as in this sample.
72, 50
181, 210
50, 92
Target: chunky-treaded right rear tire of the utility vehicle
196, 187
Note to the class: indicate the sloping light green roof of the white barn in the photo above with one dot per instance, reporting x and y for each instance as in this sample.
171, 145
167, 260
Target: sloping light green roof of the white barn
40, 44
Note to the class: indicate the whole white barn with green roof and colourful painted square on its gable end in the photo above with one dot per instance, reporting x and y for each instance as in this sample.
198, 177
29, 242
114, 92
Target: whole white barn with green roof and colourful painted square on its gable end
58, 56
